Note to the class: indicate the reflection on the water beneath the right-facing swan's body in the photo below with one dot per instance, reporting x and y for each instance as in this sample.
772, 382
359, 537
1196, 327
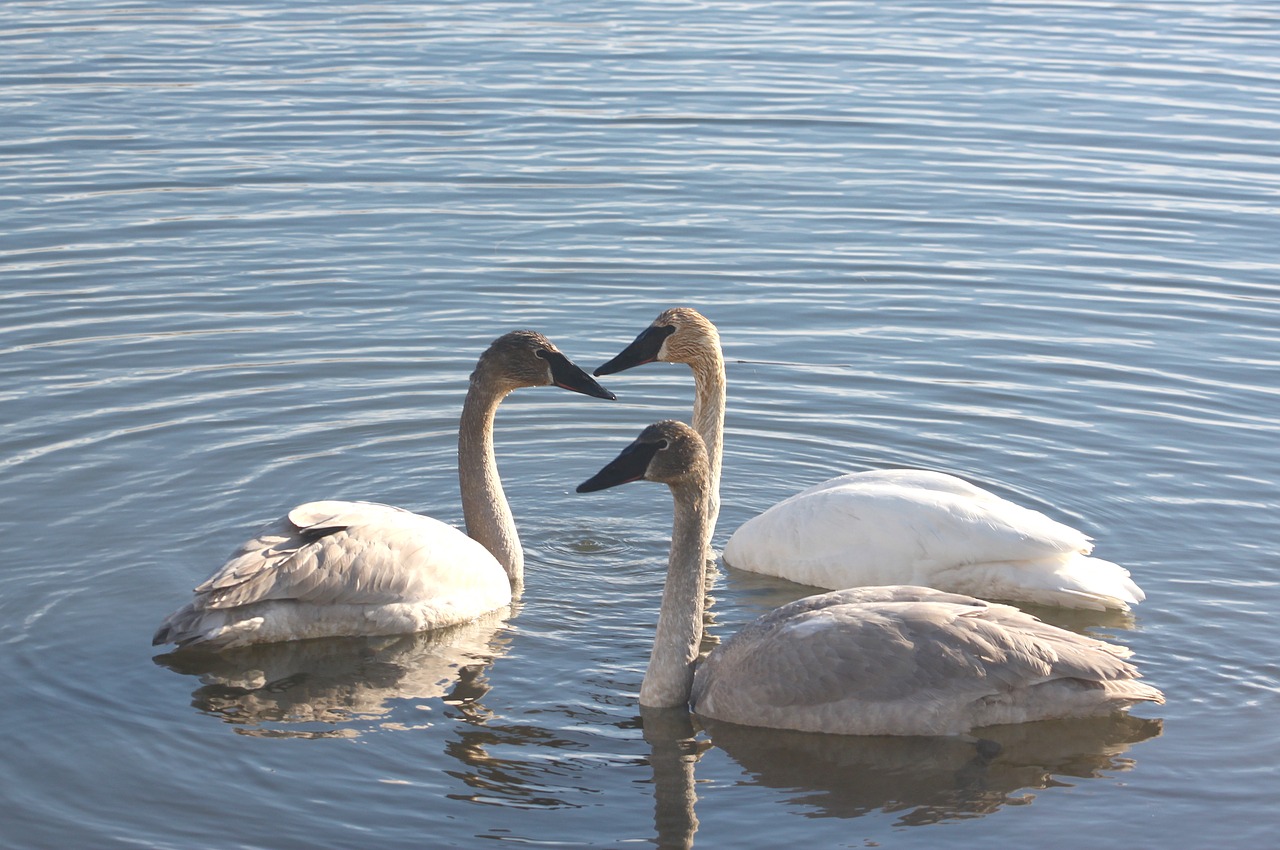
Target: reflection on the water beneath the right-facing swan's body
276, 689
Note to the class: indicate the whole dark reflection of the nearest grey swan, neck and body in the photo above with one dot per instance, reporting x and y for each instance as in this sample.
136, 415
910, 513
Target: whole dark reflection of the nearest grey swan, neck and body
922, 780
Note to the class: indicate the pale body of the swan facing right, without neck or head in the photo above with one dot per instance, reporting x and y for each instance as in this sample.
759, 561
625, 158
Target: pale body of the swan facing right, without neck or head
333, 569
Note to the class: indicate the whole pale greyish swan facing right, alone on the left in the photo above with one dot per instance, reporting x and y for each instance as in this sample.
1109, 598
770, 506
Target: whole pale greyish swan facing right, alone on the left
344, 569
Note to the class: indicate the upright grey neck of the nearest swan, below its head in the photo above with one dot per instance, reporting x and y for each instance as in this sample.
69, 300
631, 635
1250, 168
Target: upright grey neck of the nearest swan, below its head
670, 678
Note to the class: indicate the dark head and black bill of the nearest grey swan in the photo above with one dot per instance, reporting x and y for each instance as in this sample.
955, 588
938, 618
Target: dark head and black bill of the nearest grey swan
668, 453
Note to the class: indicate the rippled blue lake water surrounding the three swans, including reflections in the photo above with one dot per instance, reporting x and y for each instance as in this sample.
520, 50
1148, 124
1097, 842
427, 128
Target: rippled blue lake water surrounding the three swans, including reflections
252, 253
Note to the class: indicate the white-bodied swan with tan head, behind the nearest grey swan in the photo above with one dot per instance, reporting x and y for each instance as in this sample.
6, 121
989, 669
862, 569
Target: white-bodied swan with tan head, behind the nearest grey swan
888, 527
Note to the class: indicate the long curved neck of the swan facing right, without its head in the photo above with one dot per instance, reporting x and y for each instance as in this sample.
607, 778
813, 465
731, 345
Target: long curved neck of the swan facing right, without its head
484, 505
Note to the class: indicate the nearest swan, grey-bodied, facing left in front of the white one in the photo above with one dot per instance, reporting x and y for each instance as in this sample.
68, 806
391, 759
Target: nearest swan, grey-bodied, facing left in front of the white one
867, 661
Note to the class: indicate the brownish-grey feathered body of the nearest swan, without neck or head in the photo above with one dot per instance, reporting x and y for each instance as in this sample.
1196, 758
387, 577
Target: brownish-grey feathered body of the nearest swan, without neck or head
912, 664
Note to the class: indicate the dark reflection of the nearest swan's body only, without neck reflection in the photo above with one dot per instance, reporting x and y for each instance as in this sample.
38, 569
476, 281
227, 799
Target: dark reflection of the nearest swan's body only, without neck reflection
930, 780
